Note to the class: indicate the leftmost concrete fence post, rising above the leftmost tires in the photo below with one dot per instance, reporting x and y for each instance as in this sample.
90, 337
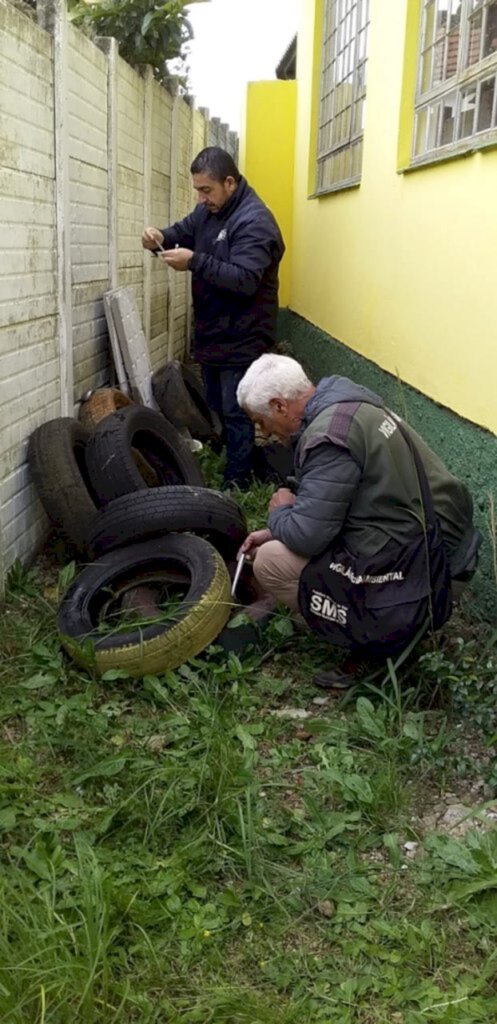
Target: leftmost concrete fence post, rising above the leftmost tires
53, 18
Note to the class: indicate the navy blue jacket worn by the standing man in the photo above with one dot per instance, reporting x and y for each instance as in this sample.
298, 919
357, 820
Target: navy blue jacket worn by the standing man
234, 278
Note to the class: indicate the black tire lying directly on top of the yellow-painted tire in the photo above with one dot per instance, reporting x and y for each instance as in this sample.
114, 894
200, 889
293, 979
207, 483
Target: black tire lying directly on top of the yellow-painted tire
167, 510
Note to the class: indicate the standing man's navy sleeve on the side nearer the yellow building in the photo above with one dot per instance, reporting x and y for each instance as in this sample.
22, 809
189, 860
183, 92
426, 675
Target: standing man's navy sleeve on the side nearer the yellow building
254, 250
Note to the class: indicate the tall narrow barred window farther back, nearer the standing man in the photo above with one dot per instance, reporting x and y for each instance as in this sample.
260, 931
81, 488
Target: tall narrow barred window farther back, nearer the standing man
343, 97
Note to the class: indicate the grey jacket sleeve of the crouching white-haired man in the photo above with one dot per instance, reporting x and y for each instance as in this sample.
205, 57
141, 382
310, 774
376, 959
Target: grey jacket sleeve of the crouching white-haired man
330, 478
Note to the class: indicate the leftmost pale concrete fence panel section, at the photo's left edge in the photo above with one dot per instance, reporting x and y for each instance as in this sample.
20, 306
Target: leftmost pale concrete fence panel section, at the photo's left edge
29, 359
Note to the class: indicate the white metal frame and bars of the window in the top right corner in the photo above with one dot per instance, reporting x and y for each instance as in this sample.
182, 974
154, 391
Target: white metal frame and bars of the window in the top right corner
462, 94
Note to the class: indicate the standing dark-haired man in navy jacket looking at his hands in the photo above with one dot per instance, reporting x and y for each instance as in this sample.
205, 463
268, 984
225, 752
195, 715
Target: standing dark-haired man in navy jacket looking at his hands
233, 246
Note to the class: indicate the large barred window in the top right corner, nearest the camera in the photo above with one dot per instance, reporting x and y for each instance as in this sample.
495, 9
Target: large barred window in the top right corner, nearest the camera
457, 100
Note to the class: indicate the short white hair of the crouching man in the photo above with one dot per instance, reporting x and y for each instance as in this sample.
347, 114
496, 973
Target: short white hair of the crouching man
271, 377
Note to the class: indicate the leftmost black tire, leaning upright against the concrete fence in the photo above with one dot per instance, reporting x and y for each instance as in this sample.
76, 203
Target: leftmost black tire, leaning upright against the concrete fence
57, 456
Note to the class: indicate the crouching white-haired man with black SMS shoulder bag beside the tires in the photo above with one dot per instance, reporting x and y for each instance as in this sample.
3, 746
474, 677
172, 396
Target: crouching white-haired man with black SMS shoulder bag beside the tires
376, 533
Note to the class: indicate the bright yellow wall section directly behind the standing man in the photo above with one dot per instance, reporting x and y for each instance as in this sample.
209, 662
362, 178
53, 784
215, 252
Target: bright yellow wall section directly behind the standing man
268, 158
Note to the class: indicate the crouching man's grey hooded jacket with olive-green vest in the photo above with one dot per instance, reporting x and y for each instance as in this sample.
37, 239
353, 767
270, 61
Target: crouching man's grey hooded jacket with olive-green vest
365, 487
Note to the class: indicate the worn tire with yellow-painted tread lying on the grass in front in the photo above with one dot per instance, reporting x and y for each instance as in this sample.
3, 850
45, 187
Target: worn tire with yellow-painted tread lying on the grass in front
154, 648
